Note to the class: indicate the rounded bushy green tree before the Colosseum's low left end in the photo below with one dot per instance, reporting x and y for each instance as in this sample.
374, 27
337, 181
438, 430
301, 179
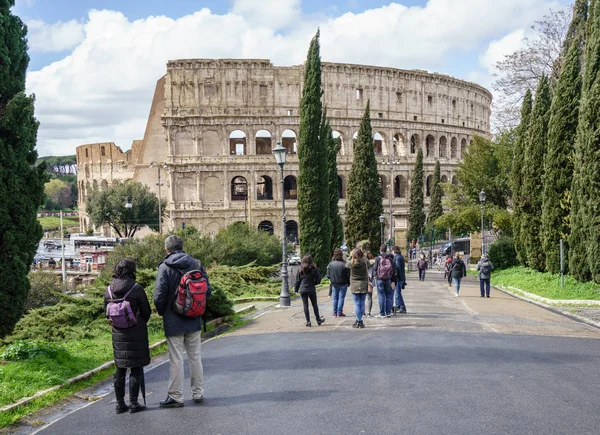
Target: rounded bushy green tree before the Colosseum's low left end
108, 207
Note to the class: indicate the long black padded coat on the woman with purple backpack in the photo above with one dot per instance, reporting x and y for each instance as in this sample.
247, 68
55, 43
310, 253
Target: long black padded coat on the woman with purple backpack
130, 345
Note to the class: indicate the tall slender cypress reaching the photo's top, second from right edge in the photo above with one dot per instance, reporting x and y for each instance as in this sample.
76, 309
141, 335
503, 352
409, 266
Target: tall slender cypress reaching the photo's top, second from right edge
562, 132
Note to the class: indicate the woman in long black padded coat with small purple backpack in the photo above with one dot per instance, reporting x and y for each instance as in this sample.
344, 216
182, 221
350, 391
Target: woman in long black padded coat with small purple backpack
129, 335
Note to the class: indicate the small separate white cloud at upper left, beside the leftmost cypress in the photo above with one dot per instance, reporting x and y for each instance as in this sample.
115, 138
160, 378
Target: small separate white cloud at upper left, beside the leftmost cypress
54, 37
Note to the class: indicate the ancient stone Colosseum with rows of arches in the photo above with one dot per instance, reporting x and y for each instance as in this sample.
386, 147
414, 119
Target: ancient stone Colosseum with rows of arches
214, 122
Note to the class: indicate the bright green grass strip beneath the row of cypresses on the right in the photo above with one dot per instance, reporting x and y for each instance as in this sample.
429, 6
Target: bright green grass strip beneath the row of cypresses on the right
546, 284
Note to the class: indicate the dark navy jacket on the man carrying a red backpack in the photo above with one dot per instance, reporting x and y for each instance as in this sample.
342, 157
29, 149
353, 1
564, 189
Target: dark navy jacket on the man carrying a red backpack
170, 271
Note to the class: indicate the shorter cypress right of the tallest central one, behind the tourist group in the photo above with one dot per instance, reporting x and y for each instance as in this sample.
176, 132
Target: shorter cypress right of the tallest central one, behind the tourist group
365, 201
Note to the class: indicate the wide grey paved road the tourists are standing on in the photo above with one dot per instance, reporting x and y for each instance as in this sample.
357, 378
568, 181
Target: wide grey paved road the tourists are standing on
464, 365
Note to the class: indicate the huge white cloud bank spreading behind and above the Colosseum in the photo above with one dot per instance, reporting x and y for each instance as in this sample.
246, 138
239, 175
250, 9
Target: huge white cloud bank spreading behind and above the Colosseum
103, 89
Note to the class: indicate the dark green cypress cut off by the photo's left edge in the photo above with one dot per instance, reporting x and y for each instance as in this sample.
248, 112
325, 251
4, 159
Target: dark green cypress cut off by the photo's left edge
21, 183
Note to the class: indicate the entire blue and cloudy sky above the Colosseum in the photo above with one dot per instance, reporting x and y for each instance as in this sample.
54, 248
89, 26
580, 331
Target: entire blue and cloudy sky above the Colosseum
94, 63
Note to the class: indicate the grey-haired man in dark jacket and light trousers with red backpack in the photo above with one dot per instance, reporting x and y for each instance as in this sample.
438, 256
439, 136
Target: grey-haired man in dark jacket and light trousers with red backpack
180, 296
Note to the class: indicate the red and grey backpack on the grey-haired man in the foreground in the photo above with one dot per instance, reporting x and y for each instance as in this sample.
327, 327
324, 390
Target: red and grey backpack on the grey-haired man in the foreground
190, 300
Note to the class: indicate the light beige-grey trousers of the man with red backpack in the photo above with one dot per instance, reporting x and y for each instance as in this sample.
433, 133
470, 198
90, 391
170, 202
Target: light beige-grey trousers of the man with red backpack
191, 343
